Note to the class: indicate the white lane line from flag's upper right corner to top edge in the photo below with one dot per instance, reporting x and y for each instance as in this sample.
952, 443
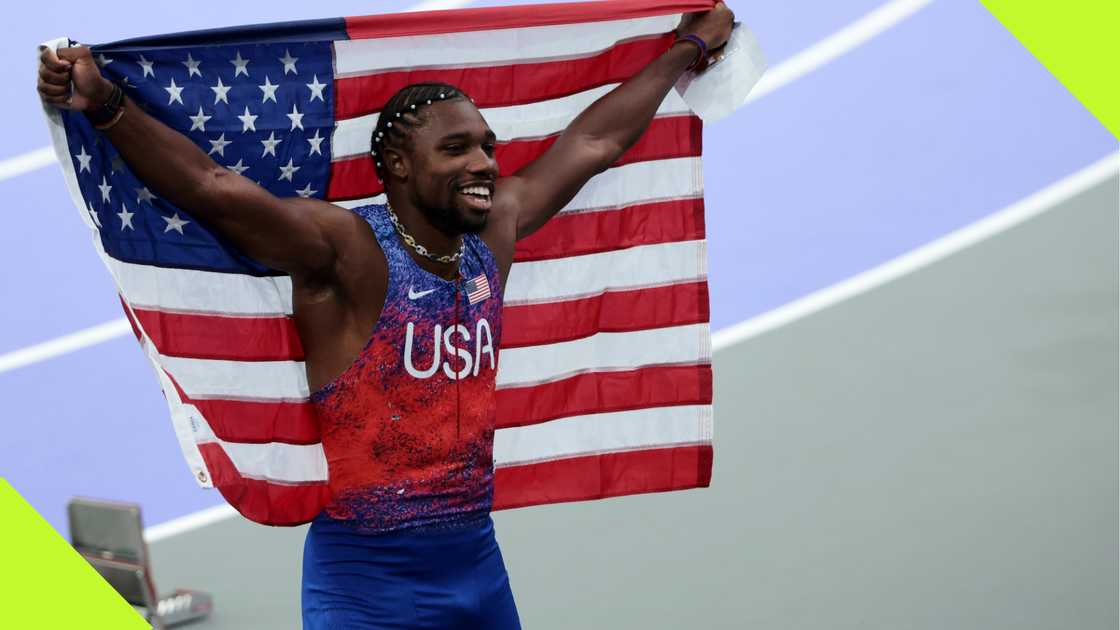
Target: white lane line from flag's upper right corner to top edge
837, 45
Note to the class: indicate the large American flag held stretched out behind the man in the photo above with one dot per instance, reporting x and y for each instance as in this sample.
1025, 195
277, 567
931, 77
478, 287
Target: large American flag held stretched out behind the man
605, 377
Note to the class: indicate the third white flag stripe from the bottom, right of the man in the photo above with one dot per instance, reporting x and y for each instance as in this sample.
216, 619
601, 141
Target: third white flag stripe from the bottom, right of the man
581, 276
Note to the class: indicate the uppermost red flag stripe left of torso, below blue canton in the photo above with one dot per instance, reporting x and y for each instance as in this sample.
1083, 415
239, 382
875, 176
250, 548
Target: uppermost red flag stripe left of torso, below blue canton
222, 338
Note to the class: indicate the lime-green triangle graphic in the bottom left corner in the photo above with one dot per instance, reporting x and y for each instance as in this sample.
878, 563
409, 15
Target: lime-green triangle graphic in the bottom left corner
46, 585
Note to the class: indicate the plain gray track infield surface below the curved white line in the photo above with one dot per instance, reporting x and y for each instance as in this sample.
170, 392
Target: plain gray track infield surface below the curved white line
938, 453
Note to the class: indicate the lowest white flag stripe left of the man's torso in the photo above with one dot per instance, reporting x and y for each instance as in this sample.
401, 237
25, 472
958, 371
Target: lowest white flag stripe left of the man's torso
284, 464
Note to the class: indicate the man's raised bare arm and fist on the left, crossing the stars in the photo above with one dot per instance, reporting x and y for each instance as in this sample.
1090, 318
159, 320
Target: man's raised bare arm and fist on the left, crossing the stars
297, 236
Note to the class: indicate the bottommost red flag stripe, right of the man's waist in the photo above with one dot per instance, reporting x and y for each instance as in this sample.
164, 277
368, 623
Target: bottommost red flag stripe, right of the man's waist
599, 477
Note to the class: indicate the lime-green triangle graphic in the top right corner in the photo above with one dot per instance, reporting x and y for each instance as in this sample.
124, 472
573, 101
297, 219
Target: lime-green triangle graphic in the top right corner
1078, 42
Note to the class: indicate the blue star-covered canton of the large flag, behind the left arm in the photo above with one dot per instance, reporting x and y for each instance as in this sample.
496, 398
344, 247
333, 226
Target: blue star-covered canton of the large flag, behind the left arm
265, 112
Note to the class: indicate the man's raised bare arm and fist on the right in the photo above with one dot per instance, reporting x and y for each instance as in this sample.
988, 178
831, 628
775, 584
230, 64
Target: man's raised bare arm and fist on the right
605, 131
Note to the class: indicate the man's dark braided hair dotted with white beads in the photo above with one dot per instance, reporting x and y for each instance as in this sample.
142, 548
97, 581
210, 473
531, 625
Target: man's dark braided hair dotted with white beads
403, 116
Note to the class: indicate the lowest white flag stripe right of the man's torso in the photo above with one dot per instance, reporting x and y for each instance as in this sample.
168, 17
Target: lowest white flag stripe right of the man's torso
603, 433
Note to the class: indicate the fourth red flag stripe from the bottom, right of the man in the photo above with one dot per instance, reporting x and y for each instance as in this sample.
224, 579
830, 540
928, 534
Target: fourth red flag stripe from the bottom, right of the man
578, 234
